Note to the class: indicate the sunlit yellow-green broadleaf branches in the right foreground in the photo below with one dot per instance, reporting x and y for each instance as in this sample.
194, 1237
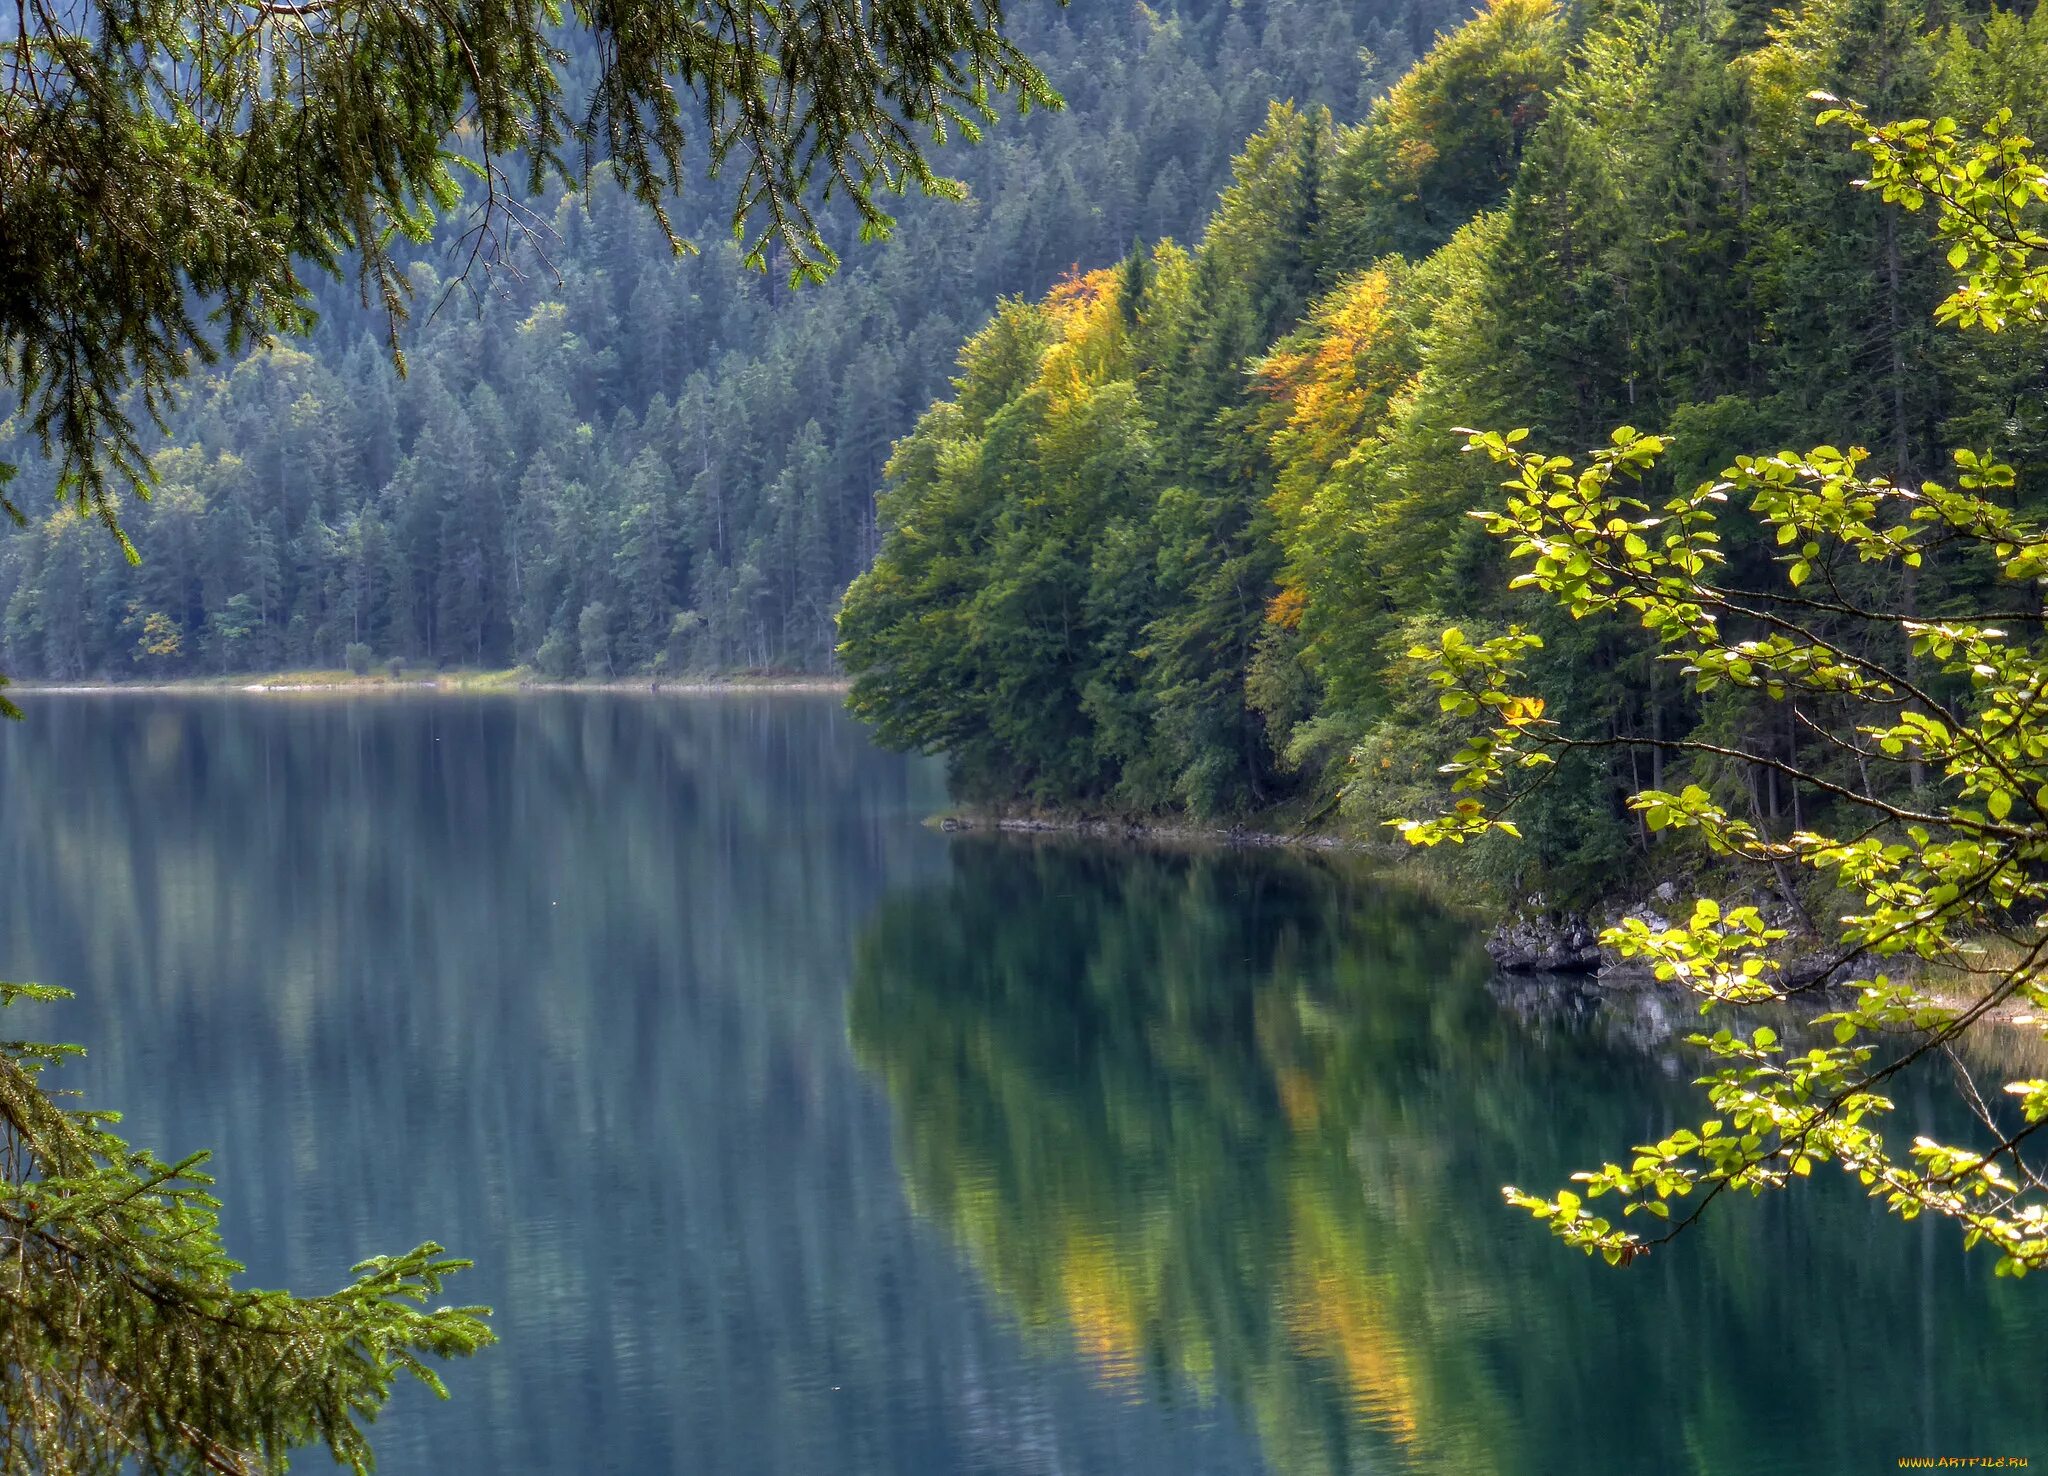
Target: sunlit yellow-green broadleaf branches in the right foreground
1926, 765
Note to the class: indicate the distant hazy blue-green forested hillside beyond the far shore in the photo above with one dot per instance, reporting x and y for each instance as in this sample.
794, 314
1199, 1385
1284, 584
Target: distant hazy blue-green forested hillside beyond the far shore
626, 462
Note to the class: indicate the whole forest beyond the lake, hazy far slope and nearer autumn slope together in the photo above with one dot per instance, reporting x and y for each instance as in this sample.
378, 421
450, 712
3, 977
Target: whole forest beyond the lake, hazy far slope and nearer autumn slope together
1164, 533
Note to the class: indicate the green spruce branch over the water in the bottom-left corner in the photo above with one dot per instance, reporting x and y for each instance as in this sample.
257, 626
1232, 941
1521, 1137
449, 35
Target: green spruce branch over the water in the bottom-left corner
128, 1344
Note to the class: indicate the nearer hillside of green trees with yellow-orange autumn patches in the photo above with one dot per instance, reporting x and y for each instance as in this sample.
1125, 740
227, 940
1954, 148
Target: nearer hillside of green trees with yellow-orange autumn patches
1179, 531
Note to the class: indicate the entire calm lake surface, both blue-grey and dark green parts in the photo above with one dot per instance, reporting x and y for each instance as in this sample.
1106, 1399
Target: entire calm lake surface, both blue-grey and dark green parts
798, 1139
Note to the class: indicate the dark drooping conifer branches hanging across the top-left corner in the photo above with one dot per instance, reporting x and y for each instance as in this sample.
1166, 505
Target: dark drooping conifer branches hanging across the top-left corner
173, 171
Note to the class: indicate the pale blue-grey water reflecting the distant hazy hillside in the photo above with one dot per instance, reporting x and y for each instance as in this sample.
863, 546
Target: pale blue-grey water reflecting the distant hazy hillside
560, 982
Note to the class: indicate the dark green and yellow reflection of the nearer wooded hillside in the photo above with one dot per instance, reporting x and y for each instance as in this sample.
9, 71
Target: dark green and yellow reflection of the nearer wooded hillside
1230, 1129
